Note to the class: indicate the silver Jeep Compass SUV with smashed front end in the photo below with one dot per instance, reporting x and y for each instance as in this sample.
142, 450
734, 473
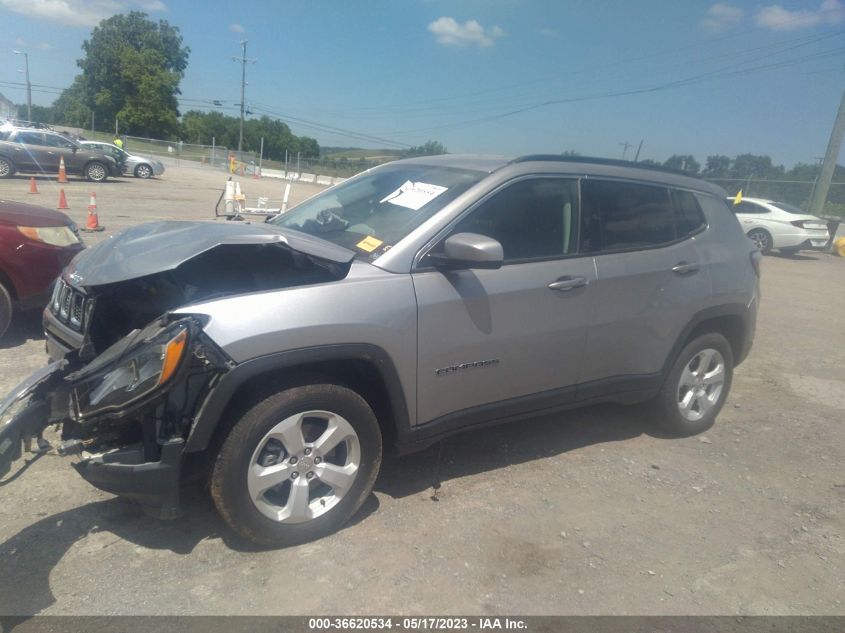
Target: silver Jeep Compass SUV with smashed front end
421, 298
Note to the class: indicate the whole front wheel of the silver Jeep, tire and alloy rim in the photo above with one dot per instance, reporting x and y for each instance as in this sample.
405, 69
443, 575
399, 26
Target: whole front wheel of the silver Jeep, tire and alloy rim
297, 465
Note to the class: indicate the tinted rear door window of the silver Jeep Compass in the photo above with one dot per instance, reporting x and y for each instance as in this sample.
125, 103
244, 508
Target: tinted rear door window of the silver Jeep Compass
622, 216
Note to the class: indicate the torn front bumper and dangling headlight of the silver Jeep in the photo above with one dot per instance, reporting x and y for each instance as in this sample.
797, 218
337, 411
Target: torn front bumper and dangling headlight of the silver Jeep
131, 445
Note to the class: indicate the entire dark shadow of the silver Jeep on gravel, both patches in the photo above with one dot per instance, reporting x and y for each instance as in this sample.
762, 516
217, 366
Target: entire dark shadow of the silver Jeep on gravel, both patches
29, 557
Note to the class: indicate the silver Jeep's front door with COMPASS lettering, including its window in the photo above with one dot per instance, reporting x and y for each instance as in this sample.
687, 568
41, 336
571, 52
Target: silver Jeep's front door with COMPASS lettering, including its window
487, 336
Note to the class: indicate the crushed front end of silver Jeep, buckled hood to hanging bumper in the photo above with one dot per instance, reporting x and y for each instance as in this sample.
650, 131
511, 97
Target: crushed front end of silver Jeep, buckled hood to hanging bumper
128, 376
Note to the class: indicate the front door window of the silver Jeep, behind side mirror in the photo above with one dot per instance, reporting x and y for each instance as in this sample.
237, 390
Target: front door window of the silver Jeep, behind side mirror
531, 218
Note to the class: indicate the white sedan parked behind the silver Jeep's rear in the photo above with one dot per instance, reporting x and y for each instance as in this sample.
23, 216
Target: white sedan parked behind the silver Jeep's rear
779, 225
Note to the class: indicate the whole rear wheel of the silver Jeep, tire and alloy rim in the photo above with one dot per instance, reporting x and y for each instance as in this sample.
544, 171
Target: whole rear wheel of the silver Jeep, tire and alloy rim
697, 386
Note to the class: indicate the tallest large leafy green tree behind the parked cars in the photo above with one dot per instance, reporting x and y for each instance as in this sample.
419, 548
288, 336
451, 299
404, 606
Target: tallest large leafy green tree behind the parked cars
131, 71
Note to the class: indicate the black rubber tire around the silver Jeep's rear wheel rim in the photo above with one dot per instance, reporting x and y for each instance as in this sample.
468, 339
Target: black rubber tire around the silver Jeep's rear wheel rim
667, 405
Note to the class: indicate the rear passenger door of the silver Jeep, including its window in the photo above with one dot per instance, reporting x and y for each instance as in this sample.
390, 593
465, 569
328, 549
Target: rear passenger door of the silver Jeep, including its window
650, 279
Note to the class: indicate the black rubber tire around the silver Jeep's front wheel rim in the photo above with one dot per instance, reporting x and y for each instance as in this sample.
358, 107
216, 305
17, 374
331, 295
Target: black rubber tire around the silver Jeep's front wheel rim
230, 488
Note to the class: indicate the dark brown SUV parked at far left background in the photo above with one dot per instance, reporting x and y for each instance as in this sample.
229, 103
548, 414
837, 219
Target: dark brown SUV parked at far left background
39, 151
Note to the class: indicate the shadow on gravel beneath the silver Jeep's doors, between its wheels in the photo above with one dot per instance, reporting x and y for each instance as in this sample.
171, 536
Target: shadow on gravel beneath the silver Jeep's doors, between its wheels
516, 442
